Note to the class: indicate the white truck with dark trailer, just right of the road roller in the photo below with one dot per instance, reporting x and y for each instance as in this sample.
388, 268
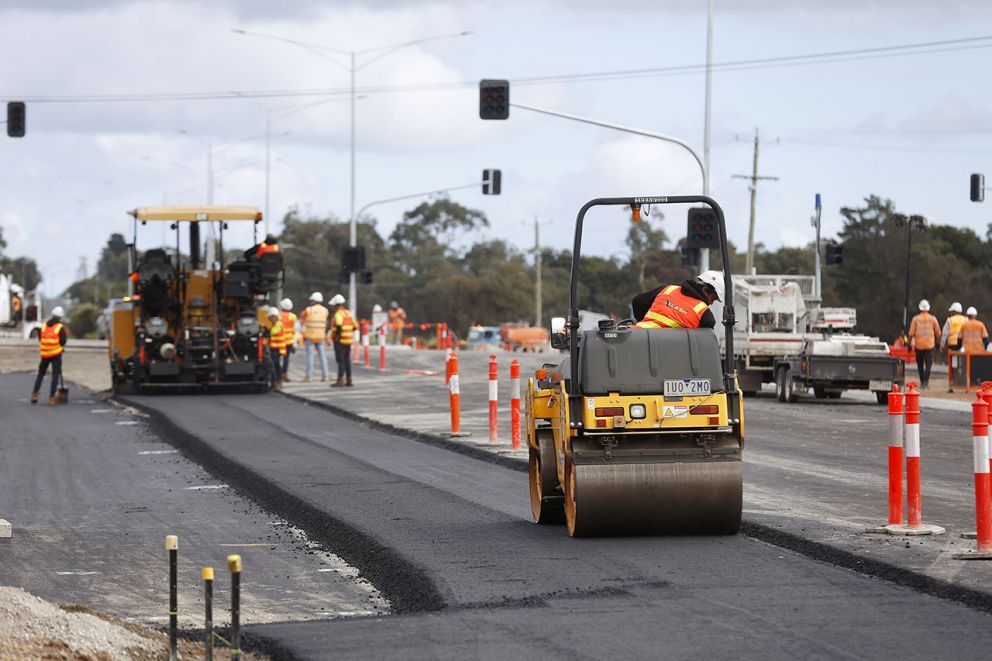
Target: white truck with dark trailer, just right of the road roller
782, 336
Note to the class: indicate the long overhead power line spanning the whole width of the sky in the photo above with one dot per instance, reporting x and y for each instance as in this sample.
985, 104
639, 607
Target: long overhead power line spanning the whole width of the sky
828, 57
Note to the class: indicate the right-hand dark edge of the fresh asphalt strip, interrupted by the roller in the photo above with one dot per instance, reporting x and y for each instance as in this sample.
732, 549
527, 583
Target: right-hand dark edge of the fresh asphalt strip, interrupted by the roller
820, 551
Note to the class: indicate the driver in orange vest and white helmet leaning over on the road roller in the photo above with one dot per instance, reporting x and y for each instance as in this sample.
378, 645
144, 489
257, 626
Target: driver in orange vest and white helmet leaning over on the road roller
680, 306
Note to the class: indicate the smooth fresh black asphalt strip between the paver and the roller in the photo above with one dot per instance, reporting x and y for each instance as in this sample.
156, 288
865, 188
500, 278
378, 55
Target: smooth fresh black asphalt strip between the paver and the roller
448, 540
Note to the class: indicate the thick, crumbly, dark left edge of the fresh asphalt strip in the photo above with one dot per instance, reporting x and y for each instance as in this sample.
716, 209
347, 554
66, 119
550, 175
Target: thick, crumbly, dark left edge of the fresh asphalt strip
408, 588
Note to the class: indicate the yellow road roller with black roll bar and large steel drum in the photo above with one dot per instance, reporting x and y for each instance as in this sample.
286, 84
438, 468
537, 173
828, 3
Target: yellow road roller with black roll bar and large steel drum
638, 431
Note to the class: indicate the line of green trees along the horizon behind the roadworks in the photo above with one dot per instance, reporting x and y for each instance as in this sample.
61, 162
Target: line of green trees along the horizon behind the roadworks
431, 267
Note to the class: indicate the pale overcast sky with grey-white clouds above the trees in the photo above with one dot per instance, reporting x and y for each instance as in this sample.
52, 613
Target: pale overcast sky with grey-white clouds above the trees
908, 127
